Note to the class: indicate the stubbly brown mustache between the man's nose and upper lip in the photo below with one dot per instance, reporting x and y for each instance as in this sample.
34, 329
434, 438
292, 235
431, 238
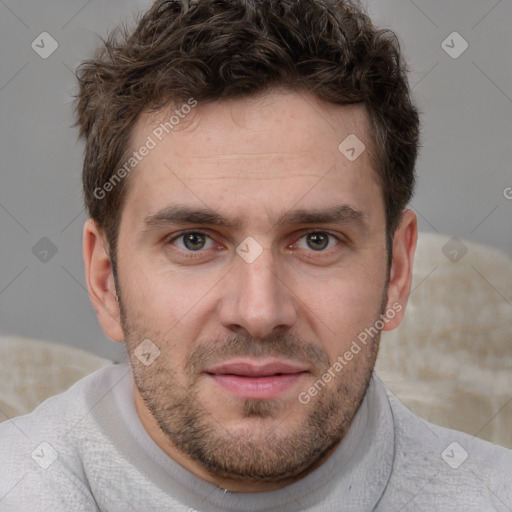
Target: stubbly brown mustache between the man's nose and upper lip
287, 346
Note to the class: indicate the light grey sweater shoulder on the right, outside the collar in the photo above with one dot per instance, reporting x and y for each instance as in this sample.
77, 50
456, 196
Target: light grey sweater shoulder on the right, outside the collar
437, 468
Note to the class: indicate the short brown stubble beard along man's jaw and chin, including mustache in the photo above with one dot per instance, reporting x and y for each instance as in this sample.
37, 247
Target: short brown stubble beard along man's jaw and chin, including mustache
266, 448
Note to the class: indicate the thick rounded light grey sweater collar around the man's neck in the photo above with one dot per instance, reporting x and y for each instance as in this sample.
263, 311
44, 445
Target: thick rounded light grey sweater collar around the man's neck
353, 478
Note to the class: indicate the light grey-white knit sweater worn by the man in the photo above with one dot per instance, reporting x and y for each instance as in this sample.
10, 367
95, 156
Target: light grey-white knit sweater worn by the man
86, 450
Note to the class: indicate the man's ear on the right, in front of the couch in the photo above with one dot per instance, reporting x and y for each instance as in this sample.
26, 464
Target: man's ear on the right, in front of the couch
404, 245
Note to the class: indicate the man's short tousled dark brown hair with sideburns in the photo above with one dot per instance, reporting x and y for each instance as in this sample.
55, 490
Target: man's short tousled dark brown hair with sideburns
217, 49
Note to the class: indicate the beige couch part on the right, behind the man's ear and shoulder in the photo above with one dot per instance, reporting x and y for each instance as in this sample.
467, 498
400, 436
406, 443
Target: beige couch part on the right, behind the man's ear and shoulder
451, 359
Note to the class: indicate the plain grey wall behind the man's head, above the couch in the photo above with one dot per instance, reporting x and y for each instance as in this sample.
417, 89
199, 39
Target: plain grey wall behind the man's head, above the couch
464, 170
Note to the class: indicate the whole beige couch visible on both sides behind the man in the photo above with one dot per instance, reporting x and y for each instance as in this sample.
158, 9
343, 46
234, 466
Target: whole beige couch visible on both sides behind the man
450, 361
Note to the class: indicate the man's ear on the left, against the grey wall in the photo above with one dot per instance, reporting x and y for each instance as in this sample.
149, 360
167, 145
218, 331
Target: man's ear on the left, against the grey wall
100, 281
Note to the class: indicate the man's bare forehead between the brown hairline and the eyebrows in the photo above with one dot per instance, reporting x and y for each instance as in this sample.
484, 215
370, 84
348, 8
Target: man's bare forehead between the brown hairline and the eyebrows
266, 149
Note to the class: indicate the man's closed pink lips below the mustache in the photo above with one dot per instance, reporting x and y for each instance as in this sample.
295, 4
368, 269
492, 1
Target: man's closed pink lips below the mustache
254, 380
